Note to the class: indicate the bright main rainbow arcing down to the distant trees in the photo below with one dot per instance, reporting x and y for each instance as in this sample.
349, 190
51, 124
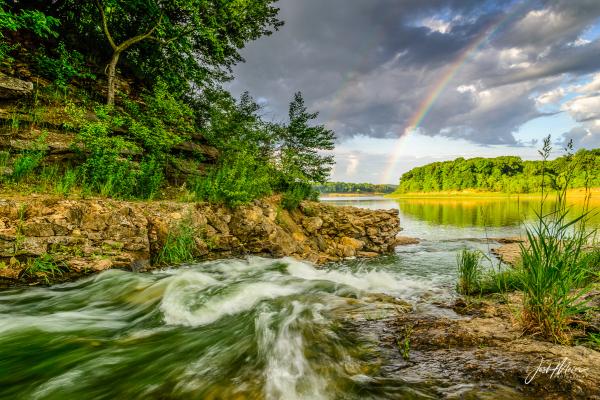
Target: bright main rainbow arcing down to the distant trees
437, 89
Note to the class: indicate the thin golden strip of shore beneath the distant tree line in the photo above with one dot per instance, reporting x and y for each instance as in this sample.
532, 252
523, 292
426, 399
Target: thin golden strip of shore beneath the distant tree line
474, 194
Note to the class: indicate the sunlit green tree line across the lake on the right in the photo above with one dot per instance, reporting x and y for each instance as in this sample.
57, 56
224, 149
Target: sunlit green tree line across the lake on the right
504, 174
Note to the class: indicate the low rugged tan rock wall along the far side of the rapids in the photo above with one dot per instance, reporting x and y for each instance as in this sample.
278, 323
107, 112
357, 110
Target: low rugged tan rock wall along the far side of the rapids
87, 236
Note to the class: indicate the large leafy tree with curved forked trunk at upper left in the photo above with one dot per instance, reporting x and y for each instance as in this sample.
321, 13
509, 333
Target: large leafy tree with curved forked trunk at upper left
179, 42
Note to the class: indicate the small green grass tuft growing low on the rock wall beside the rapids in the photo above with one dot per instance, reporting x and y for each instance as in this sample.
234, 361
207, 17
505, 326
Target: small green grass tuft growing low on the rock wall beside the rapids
180, 245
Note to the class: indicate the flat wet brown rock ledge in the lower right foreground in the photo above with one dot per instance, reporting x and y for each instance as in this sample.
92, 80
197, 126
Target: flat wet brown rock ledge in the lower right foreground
481, 348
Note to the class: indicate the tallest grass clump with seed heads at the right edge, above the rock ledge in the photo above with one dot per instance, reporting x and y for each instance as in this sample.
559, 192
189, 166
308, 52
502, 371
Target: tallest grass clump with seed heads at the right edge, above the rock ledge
556, 267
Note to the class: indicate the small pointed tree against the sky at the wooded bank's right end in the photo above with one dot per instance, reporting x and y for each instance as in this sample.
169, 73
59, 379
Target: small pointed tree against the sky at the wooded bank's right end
300, 145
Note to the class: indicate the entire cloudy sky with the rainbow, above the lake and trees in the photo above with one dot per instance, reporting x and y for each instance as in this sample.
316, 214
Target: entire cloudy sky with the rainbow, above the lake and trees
404, 83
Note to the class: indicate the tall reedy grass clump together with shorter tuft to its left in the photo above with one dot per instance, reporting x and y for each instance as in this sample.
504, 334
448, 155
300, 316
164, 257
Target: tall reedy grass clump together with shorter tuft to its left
558, 267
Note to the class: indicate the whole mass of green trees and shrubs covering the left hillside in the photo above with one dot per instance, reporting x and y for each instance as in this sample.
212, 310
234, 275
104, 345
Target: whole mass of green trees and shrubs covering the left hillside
176, 53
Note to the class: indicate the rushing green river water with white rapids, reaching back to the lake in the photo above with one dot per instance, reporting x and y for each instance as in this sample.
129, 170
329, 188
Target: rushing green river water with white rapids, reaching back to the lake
246, 329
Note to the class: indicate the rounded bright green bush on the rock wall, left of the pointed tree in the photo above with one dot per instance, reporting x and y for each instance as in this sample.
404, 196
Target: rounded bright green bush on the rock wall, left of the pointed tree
237, 180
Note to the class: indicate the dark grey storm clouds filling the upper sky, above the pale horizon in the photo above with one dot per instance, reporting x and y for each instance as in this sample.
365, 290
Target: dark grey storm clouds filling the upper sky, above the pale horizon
368, 65
